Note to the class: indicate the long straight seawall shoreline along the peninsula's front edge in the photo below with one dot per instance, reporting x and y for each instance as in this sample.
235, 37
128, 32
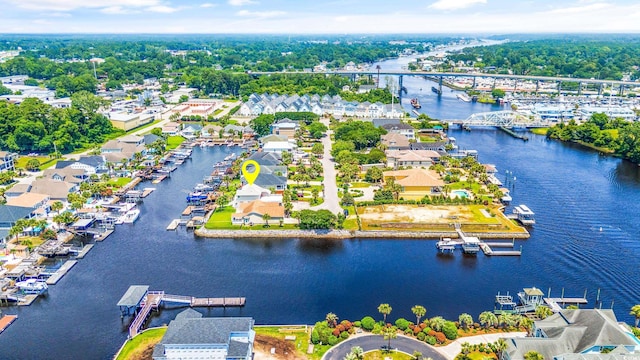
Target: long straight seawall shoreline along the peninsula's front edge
349, 234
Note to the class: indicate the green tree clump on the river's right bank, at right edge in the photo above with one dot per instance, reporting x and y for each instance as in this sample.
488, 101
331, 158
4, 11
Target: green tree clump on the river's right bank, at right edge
616, 135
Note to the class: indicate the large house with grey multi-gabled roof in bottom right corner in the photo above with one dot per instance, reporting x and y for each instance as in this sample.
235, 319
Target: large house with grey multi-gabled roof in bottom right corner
569, 333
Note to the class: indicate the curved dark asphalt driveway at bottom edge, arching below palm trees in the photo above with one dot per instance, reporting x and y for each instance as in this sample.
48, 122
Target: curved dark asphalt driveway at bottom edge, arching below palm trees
374, 342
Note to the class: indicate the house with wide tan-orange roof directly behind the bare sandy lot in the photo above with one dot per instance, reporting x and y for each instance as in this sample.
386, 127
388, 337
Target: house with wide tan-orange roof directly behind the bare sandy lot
416, 182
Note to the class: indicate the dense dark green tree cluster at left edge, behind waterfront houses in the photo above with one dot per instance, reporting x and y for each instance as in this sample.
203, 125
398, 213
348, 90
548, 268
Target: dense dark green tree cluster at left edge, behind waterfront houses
36, 126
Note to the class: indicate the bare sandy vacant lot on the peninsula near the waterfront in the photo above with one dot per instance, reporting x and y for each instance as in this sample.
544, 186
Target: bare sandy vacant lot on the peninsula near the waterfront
410, 213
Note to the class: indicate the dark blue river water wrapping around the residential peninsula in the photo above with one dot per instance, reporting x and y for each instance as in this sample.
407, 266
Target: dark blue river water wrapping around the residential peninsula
586, 237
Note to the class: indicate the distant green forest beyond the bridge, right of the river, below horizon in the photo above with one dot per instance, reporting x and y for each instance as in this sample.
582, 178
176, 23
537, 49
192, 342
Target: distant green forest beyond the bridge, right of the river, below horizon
579, 57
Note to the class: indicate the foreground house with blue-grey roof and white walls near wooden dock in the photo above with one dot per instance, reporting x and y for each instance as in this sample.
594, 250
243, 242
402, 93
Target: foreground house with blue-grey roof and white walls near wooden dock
192, 336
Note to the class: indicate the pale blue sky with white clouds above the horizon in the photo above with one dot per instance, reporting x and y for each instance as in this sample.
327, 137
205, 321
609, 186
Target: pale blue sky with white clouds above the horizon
318, 16
